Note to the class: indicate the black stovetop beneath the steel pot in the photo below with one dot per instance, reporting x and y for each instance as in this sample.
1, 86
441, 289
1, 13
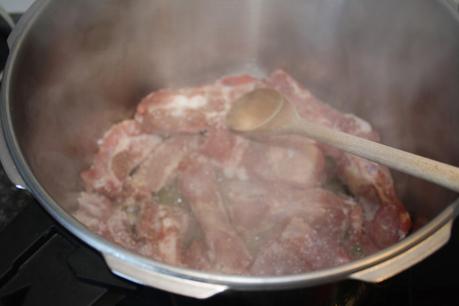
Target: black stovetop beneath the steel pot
43, 264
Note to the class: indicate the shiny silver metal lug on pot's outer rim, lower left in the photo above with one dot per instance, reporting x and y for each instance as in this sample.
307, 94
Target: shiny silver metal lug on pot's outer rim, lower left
162, 281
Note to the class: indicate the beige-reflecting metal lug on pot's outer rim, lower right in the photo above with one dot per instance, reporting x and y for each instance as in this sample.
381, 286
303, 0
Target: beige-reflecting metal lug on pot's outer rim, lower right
414, 255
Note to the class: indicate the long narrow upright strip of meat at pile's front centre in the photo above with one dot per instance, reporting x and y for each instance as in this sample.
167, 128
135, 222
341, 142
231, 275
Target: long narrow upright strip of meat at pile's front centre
226, 250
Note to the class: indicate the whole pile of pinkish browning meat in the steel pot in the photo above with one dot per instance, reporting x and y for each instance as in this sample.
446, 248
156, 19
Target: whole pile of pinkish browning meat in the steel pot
174, 184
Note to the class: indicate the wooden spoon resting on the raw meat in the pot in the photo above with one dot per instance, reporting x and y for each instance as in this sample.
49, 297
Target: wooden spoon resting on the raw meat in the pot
266, 111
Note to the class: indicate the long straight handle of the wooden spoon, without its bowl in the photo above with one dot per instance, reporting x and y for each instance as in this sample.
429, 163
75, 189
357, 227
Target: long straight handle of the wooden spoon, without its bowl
428, 169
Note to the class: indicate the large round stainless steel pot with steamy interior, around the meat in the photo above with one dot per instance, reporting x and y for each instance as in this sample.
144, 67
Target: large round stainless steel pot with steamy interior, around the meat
77, 67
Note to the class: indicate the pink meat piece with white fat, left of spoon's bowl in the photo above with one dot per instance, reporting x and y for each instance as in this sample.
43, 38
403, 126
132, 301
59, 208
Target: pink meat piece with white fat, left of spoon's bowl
191, 110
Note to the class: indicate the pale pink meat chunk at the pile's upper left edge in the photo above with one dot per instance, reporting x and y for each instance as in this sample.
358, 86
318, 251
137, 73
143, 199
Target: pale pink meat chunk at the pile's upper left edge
121, 150
